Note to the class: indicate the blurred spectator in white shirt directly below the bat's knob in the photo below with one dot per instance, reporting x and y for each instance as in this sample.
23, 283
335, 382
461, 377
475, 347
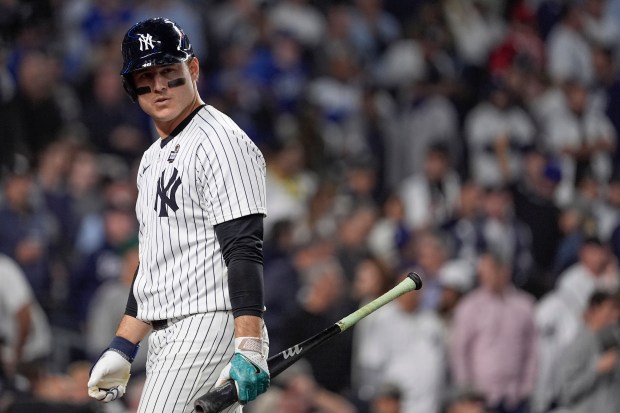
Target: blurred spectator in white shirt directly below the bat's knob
385, 353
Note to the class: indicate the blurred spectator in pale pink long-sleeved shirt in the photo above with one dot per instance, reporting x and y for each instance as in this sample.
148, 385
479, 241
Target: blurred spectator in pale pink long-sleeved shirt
493, 346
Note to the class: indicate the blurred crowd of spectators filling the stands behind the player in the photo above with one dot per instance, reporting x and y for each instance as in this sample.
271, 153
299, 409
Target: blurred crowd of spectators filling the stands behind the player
474, 142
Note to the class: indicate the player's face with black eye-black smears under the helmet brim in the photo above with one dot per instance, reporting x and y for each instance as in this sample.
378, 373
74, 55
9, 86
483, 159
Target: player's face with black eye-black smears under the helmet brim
166, 104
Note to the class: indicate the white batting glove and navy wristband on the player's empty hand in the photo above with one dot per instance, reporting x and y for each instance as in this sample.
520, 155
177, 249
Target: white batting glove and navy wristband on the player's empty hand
110, 374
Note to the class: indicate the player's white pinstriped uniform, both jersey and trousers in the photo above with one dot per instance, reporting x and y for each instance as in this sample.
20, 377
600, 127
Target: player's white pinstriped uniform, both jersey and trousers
209, 173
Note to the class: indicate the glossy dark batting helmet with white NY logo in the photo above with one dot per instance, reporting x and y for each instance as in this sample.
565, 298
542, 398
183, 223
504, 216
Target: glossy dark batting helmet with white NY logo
152, 42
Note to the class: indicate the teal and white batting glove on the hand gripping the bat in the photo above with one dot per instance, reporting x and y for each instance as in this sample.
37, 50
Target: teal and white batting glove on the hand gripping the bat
248, 368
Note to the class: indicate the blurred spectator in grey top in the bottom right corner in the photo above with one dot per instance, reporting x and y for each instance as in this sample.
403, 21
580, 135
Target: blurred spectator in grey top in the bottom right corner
590, 372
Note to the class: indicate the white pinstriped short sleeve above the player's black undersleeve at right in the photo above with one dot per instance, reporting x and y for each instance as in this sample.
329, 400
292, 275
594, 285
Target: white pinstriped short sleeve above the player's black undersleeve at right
231, 173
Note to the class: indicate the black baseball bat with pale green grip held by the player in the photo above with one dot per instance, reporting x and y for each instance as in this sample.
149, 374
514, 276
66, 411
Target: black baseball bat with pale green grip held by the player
219, 398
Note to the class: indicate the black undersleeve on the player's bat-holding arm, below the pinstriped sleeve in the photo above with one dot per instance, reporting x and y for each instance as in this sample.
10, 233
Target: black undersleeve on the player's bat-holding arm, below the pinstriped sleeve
241, 241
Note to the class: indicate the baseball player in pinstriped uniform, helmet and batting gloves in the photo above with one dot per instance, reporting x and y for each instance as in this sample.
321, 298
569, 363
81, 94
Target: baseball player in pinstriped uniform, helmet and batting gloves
201, 203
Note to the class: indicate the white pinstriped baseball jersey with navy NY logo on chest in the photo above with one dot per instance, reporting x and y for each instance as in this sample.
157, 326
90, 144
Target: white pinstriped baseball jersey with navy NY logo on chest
207, 173
